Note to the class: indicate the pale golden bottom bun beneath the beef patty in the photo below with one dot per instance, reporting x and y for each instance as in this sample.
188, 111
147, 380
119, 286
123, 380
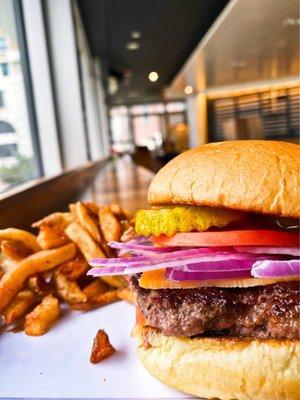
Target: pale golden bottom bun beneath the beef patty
224, 368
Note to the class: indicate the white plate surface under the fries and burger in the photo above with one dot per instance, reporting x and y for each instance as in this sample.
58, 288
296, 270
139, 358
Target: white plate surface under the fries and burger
57, 364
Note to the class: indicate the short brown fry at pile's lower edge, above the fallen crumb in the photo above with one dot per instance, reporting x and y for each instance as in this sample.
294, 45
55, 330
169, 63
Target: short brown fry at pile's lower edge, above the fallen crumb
69, 291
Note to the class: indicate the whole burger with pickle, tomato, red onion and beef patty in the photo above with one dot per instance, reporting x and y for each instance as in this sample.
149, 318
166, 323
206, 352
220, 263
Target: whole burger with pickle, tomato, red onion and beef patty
215, 270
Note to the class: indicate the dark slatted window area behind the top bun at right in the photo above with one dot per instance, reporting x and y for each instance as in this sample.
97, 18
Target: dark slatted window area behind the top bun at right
273, 114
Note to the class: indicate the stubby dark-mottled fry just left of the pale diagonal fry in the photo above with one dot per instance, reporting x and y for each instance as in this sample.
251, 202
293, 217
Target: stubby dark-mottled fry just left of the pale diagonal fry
51, 237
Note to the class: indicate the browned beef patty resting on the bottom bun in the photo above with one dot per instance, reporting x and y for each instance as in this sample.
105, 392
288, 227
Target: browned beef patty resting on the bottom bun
270, 311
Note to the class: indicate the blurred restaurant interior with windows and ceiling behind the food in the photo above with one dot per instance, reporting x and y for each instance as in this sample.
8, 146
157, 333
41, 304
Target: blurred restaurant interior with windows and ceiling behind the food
144, 79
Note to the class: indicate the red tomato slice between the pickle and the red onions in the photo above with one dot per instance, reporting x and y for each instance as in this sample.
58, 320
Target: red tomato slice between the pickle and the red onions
230, 238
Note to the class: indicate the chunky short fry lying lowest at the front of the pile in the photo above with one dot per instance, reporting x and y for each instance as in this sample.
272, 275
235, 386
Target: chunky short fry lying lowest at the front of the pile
42, 317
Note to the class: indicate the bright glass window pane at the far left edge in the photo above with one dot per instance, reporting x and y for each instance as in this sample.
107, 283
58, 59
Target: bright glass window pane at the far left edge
18, 155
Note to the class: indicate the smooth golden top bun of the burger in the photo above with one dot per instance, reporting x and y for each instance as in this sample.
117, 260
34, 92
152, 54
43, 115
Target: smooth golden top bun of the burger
250, 175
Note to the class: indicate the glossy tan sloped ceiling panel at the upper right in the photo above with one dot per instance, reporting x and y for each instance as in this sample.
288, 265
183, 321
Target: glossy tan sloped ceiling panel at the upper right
254, 41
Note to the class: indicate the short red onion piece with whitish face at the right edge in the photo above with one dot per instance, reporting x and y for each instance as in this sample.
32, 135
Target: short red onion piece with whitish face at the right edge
275, 269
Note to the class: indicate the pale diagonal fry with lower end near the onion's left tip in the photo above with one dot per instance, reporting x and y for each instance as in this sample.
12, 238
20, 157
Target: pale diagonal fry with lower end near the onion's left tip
84, 241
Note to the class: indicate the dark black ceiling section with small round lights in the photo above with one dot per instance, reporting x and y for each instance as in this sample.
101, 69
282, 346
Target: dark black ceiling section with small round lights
170, 30
